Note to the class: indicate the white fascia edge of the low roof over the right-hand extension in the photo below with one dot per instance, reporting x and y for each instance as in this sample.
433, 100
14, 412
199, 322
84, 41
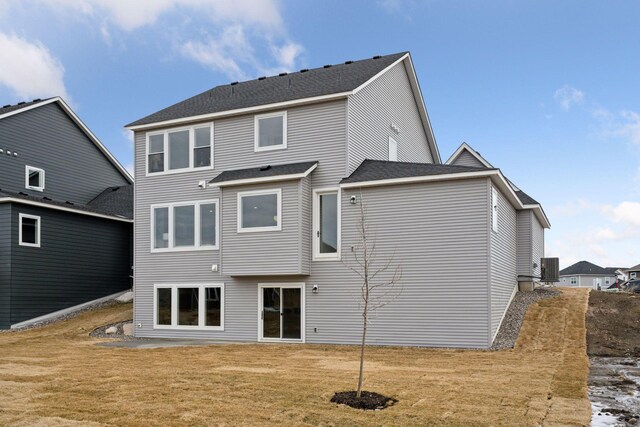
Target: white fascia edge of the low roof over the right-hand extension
494, 175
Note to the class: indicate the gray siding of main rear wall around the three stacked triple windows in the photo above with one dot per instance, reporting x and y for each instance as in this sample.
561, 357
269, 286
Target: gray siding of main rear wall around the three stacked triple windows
315, 132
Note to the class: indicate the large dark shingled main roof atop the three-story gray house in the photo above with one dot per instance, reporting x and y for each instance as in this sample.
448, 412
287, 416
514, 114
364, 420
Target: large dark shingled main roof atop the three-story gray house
306, 83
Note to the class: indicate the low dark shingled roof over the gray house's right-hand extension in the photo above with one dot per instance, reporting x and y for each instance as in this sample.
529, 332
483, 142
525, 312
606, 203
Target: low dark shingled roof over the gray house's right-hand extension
375, 170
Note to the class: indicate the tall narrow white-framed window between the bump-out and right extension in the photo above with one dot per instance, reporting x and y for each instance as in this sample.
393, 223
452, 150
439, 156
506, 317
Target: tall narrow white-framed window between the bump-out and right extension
326, 224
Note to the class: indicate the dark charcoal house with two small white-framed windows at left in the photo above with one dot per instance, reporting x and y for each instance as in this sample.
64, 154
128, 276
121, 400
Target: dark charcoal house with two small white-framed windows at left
65, 213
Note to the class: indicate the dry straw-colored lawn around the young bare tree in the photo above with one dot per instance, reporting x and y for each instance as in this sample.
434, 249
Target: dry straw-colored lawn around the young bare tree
57, 376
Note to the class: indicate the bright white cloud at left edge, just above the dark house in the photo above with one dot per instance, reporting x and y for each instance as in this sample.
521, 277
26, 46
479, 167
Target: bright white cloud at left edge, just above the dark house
29, 69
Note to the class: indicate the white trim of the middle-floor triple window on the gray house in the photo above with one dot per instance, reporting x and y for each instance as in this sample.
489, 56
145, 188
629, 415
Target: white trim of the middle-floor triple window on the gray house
197, 237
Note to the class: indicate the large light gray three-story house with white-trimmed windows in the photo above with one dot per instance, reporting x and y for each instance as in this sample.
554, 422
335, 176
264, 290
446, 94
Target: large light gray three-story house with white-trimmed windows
248, 199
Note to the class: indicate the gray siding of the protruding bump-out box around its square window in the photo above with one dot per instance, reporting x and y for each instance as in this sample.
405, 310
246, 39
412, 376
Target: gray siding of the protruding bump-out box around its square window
265, 252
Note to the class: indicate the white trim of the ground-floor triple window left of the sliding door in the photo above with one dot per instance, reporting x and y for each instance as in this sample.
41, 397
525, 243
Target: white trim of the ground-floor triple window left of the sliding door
201, 306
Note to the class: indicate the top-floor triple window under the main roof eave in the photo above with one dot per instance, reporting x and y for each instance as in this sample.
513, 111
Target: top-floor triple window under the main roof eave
180, 150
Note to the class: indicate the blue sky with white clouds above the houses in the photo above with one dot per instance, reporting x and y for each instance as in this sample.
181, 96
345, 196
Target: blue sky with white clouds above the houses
547, 91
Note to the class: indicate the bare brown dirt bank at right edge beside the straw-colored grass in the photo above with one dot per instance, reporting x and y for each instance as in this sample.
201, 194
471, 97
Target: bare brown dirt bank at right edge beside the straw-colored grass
613, 324
